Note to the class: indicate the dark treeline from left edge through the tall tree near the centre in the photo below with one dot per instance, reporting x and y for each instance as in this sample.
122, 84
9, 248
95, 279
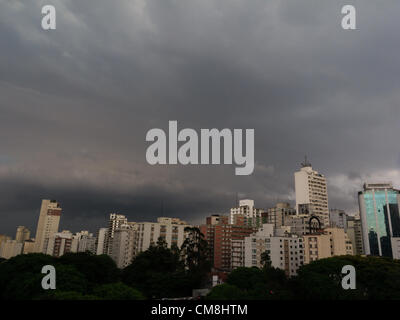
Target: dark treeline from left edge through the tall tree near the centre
159, 272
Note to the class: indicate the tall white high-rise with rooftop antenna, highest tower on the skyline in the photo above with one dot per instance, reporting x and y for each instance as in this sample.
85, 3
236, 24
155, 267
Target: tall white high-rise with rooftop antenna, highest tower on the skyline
311, 193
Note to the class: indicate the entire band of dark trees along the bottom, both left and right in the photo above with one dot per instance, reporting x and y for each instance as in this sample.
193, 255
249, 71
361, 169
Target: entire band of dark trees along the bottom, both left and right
161, 272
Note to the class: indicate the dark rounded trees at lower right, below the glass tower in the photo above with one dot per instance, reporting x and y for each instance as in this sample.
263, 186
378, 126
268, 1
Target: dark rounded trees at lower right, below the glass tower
377, 278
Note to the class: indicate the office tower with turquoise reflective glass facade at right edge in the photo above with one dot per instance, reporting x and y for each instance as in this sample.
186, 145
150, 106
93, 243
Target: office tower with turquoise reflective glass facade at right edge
380, 218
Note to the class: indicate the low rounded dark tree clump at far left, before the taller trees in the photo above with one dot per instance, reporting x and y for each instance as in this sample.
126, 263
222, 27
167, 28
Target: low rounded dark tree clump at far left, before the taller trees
79, 276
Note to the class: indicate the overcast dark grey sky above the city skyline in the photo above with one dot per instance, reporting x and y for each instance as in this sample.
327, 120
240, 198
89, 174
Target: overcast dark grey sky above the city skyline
76, 103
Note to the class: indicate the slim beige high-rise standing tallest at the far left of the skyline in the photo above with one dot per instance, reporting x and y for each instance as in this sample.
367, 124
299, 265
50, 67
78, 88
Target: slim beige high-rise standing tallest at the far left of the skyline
49, 219
